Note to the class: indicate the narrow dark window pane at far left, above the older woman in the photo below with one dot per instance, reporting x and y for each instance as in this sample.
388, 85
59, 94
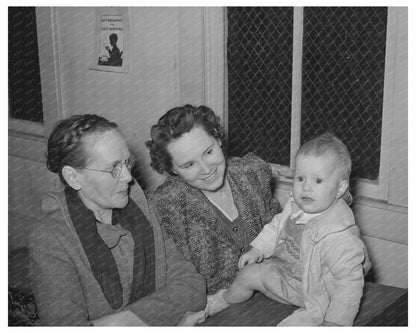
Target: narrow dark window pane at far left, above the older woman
25, 98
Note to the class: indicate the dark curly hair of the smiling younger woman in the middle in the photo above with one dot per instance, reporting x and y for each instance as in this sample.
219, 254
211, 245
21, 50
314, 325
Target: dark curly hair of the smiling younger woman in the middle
172, 125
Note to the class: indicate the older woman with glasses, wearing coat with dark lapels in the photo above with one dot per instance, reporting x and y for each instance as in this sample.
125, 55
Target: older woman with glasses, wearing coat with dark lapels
100, 257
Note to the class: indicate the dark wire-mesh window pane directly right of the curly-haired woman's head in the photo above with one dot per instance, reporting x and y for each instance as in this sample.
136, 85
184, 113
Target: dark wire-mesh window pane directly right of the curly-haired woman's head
259, 81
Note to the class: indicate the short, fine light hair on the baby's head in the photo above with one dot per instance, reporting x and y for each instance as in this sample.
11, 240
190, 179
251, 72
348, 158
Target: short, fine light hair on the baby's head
330, 146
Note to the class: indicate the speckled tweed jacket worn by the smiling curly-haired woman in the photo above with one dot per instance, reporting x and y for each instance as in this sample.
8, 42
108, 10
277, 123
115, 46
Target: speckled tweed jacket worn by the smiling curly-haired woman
194, 223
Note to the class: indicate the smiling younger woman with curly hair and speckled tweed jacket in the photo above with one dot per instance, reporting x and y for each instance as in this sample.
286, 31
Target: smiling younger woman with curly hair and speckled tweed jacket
212, 207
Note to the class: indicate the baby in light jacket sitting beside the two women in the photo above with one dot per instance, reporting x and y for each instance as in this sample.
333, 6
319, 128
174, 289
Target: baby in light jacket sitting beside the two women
317, 260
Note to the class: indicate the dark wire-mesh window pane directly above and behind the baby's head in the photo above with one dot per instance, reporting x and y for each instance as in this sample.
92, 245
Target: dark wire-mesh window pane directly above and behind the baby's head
343, 80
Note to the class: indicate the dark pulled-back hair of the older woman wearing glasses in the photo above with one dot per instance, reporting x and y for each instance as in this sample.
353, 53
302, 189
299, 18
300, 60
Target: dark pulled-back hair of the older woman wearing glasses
66, 144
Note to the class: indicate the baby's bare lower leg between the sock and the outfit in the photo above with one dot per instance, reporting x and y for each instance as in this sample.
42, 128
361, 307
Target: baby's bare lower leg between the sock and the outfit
247, 281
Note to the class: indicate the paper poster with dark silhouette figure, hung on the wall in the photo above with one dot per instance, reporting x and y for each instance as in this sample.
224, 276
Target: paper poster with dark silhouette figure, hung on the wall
111, 47
